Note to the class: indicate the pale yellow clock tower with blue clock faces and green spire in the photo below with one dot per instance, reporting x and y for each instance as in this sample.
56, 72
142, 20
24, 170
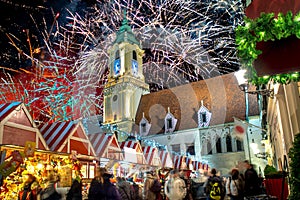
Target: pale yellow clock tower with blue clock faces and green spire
126, 82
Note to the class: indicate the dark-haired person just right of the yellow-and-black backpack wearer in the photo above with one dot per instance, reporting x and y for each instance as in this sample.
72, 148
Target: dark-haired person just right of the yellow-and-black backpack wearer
235, 186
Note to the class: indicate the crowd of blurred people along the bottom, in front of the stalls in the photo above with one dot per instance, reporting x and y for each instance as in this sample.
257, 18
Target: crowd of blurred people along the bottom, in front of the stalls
176, 186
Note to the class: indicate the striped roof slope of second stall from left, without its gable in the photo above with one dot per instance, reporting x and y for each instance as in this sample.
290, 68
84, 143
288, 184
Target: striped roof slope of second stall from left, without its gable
57, 133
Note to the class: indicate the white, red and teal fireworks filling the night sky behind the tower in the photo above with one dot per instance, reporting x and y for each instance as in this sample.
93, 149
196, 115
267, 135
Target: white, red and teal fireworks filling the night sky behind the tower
184, 41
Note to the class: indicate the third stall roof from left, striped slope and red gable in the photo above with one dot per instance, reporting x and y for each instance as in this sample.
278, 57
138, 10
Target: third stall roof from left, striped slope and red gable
106, 146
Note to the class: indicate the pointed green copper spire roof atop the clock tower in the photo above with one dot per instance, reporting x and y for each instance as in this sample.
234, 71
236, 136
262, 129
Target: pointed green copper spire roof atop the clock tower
125, 33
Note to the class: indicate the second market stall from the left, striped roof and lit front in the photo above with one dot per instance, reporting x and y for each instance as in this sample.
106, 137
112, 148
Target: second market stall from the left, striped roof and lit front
69, 137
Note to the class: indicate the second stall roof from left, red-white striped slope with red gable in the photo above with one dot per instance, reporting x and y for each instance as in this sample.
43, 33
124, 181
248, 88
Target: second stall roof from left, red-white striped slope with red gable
67, 137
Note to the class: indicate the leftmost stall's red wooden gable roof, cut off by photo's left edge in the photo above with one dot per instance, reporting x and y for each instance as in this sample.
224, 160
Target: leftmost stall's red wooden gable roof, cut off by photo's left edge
17, 126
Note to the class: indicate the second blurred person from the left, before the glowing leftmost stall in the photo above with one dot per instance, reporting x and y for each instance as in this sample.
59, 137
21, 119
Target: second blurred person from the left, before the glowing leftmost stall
49, 192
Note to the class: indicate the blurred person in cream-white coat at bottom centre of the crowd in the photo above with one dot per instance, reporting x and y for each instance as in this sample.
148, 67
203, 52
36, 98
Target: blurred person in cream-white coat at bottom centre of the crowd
175, 188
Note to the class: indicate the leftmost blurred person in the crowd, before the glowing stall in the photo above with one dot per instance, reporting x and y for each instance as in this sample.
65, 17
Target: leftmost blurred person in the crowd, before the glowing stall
30, 189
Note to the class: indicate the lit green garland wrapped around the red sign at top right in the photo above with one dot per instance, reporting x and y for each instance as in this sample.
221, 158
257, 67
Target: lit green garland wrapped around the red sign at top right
265, 28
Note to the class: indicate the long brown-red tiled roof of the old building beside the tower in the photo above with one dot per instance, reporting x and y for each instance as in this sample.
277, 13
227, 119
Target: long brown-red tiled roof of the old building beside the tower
221, 96
